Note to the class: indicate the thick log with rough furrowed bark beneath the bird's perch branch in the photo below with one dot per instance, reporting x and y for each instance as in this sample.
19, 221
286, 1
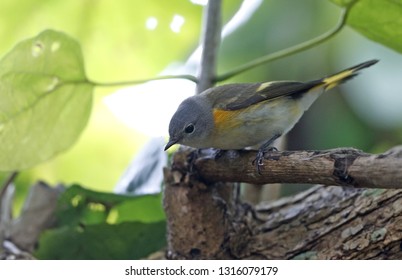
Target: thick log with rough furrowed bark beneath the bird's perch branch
327, 223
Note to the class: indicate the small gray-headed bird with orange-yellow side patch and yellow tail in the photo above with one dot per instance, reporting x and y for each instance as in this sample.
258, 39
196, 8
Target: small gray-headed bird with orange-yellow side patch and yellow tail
235, 116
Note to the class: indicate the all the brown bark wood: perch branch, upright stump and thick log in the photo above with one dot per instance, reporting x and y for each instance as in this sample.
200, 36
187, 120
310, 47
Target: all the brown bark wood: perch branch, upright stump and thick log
205, 220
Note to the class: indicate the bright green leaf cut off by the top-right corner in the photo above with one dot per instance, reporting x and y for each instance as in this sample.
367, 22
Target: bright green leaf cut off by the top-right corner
378, 20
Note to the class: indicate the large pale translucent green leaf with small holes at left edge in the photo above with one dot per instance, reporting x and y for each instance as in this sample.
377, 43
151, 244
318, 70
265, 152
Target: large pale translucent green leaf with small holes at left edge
45, 99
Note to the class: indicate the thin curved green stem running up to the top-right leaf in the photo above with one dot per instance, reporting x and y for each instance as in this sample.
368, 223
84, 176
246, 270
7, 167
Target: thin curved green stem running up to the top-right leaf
289, 51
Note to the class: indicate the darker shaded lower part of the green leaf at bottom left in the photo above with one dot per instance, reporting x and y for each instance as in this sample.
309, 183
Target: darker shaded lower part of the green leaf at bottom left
131, 240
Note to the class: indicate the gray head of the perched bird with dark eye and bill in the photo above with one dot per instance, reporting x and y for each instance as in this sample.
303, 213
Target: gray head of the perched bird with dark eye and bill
191, 124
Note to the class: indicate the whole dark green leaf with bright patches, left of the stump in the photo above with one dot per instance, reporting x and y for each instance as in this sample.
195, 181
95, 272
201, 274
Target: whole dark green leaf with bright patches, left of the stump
95, 225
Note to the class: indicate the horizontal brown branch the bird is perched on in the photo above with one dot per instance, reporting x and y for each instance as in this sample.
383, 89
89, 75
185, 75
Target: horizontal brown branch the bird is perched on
343, 167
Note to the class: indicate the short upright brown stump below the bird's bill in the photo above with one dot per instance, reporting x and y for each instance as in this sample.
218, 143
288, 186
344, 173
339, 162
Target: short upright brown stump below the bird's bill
190, 202
